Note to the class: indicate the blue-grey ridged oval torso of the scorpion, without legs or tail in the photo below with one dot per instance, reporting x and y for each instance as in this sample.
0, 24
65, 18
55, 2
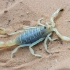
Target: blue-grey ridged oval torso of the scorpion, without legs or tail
32, 35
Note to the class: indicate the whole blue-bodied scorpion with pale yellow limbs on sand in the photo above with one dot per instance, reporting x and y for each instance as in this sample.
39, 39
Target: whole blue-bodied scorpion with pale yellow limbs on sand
33, 35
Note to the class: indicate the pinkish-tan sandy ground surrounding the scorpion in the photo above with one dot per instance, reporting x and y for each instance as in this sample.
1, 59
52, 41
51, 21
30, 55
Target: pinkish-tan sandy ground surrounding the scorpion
15, 14
